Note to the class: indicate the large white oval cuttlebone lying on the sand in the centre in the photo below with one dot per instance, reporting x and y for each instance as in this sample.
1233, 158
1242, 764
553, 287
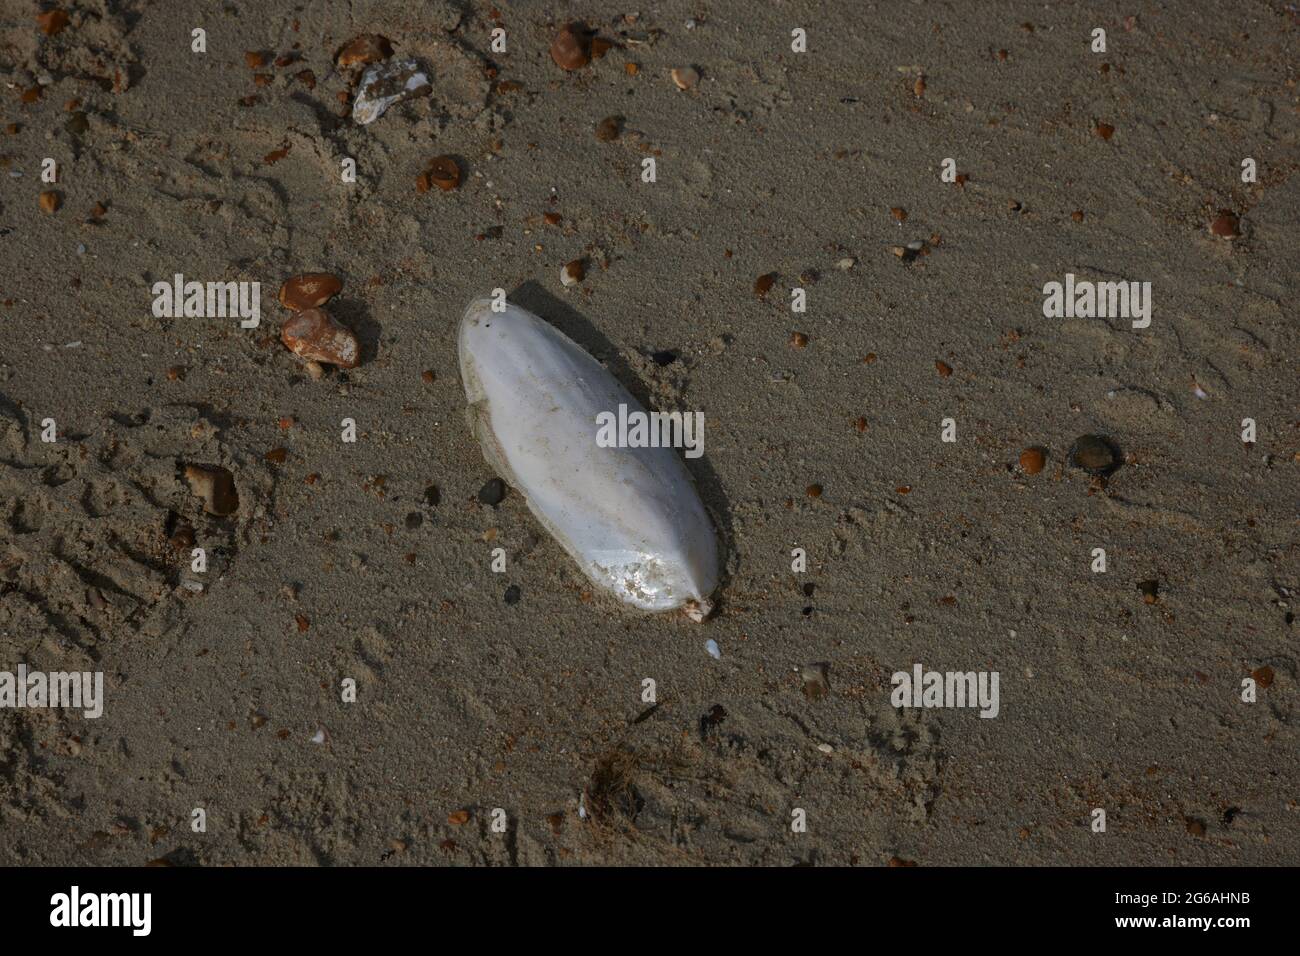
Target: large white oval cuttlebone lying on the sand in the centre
630, 517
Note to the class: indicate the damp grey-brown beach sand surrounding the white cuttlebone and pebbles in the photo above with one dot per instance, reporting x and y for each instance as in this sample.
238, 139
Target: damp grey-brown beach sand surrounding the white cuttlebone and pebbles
371, 561
